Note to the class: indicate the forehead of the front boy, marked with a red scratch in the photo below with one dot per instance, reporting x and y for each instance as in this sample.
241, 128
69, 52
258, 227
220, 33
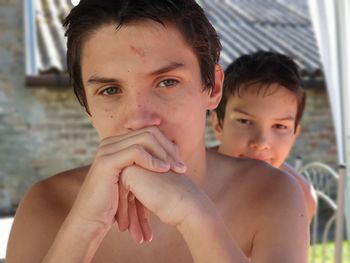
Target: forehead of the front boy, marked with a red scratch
143, 47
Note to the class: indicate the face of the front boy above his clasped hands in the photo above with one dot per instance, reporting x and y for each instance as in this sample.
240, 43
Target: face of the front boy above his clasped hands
145, 74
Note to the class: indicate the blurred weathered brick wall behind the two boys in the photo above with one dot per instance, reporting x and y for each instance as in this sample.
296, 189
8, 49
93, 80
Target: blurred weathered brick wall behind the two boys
44, 130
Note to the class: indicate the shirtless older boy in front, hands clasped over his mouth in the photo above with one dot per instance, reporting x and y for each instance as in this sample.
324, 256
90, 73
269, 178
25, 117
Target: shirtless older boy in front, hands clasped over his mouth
147, 72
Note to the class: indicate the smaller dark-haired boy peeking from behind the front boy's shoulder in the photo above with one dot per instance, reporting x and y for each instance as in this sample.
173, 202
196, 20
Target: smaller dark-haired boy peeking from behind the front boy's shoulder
260, 111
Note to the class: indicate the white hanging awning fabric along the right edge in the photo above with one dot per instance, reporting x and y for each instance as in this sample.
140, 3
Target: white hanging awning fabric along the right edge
331, 20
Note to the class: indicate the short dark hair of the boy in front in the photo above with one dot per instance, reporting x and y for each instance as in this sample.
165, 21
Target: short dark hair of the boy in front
189, 18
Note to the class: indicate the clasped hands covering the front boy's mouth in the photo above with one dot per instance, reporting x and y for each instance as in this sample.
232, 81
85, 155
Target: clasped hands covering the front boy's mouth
130, 174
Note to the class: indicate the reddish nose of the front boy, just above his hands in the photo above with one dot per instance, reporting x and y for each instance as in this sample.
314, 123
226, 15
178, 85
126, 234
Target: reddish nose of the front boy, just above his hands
140, 115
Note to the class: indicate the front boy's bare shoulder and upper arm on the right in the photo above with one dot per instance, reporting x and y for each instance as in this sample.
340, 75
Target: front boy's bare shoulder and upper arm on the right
282, 220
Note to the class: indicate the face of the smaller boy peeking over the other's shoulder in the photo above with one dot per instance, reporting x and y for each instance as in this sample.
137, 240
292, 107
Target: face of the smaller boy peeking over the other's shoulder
259, 126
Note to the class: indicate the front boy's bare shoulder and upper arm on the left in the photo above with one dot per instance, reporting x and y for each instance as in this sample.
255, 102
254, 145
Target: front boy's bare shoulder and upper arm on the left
40, 214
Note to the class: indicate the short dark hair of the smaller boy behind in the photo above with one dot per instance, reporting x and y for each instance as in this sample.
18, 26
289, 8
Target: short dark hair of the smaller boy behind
265, 68
